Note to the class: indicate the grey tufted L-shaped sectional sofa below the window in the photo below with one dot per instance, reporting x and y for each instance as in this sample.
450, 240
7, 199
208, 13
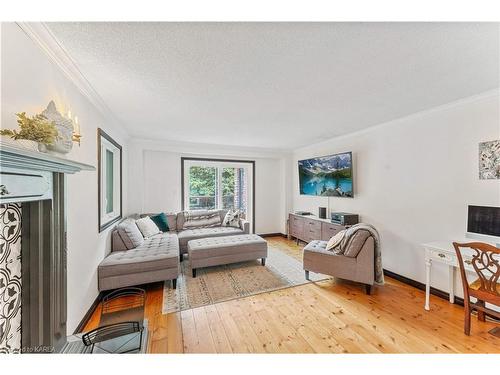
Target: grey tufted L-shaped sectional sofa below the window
134, 260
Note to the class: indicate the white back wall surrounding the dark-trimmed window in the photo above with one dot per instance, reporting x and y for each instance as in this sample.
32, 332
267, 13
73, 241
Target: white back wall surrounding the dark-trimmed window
156, 186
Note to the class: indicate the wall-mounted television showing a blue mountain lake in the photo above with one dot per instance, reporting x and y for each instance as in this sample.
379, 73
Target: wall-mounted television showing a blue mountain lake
327, 176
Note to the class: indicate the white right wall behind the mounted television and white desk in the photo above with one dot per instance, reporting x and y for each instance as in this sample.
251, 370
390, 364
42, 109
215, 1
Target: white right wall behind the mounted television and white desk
414, 177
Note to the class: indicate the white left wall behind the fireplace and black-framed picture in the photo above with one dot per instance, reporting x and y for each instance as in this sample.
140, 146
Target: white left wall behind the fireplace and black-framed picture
29, 81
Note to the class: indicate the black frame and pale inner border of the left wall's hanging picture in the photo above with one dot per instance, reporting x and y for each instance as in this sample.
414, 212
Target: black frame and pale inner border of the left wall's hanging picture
105, 142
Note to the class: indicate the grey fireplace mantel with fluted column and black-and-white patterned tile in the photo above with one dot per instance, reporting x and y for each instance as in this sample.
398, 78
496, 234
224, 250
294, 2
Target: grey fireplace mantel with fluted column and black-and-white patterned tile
33, 194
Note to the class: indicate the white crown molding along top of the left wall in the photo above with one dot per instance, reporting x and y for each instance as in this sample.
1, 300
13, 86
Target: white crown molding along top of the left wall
43, 37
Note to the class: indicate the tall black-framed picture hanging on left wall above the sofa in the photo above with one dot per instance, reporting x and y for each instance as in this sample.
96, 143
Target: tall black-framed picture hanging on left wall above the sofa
109, 159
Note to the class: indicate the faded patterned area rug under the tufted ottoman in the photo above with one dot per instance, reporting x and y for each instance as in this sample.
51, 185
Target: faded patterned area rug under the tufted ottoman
227, 282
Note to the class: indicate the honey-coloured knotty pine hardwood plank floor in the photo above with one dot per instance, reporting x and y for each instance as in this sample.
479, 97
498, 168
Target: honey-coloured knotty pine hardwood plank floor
325, 317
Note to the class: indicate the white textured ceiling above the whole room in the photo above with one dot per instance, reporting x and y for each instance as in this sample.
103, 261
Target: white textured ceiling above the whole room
277, 85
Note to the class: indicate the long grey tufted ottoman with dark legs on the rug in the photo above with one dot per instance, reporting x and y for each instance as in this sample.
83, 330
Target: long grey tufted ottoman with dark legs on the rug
214, 251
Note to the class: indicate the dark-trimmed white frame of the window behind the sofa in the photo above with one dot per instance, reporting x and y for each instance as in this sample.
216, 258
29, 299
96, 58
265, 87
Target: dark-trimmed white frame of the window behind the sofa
209, 162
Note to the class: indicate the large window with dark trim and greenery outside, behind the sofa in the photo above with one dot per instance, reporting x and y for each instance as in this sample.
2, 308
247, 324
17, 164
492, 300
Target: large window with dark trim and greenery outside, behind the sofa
218, 184
